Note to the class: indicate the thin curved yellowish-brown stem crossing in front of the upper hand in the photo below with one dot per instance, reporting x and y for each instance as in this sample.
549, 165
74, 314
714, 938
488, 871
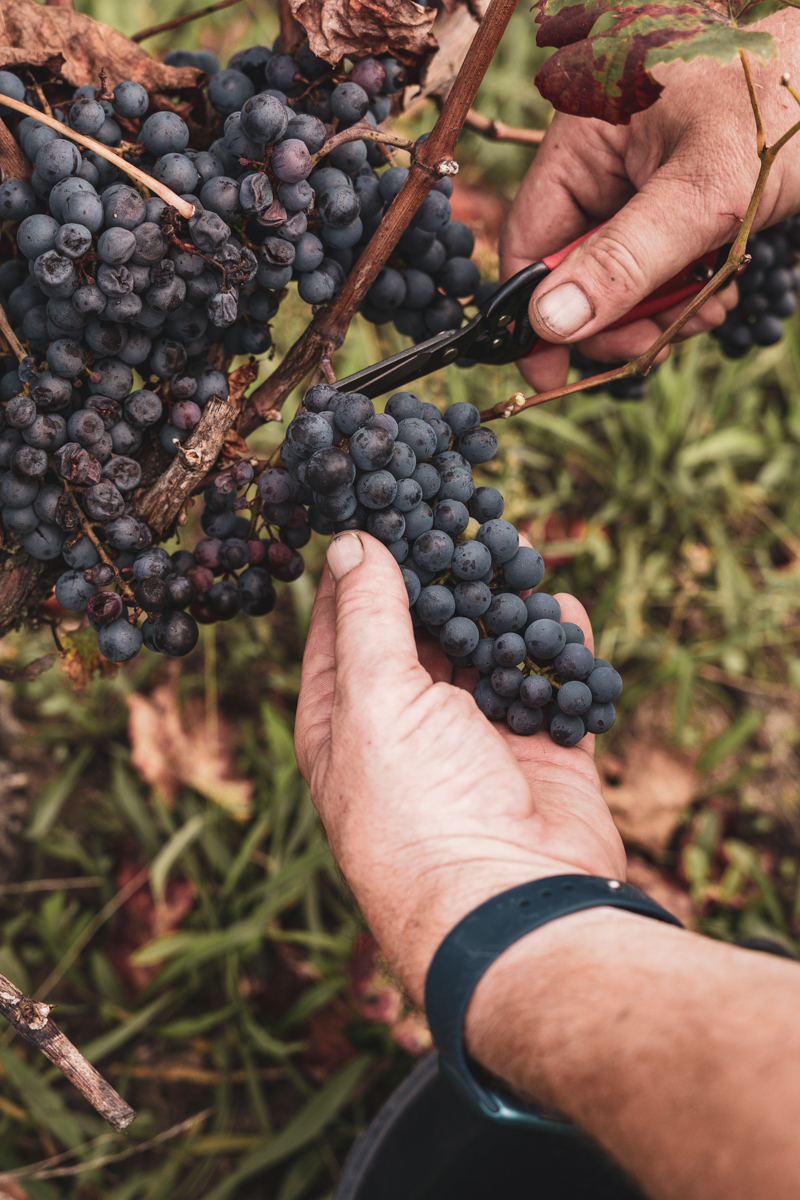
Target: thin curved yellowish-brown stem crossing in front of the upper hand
737, 259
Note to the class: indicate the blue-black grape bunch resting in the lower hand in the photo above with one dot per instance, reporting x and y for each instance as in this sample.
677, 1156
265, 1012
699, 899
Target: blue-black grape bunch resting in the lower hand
406, 477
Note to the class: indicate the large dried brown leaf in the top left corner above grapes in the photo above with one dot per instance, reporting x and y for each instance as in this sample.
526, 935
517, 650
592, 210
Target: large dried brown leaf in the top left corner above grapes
77, 49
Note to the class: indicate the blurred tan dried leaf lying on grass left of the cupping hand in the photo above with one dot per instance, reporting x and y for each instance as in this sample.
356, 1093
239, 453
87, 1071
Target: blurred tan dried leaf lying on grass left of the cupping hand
175, 751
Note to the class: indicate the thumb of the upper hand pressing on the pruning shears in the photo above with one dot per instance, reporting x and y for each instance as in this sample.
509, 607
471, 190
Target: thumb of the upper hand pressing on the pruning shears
667, 225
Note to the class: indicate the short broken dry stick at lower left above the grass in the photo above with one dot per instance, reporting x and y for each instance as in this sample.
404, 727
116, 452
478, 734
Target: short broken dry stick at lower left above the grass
33, 1022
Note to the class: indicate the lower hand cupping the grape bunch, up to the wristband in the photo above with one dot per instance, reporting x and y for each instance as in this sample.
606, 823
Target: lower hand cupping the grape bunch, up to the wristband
430, 808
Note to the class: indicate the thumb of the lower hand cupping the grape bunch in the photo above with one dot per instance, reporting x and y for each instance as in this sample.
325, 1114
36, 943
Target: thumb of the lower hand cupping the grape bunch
376, 651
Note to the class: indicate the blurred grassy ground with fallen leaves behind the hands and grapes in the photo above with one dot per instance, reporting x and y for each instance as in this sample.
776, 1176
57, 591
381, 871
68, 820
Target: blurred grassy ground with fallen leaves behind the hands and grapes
164, 878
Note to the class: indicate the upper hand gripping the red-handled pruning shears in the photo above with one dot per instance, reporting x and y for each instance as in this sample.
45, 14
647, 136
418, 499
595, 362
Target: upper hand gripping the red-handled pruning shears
672, 185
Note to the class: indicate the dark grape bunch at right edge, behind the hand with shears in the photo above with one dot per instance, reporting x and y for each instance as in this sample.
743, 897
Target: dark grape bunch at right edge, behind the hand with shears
768, 291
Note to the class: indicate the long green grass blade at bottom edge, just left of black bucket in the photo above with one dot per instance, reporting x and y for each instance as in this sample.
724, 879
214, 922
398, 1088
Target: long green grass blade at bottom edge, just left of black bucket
310, 1123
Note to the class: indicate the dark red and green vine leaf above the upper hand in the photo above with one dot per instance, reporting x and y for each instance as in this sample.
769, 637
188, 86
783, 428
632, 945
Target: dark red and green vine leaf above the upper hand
606, 50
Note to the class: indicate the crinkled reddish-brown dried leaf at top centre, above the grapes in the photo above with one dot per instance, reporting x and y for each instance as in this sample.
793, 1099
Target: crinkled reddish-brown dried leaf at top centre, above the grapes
358, 28
